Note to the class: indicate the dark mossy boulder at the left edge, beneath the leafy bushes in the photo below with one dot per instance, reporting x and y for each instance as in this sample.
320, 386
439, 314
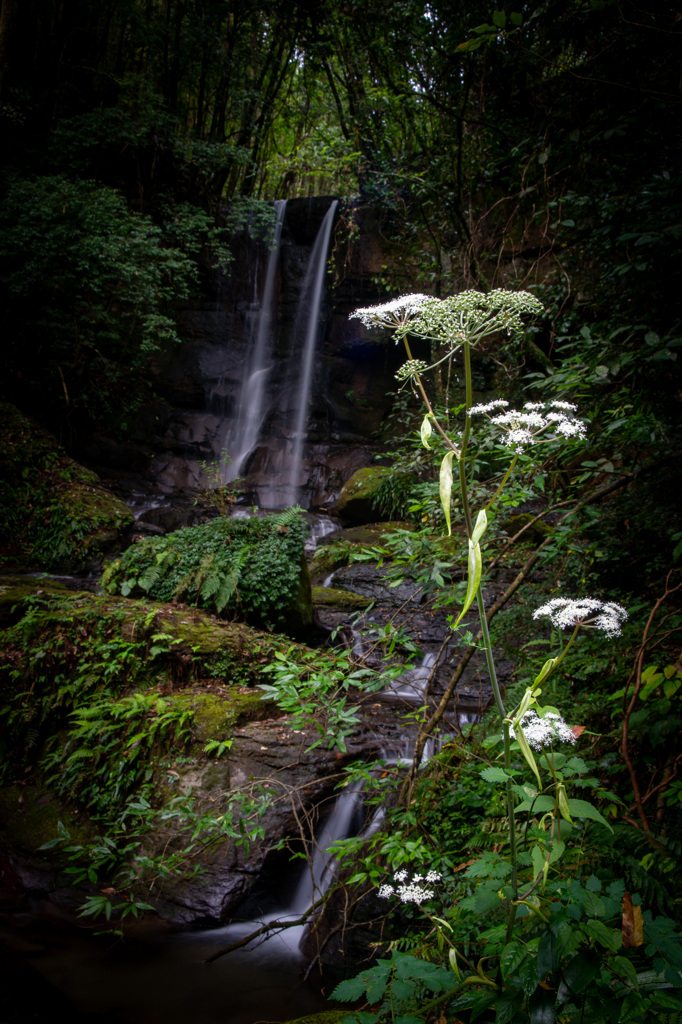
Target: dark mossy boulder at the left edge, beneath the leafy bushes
54, 514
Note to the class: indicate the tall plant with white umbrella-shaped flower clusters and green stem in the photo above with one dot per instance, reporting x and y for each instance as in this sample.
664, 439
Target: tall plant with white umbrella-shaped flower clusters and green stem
520, 984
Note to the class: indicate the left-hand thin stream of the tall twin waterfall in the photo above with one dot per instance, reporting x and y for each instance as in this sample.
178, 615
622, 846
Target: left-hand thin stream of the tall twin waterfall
252, 408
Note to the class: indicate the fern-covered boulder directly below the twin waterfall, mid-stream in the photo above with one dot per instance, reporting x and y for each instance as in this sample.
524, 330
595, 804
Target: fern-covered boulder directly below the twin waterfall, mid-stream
251, 569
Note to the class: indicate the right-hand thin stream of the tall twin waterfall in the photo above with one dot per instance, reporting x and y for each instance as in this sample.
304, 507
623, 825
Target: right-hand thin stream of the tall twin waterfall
308, 318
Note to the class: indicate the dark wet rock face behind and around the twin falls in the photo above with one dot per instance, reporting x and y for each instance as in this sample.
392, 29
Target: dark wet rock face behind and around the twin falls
203, 379
